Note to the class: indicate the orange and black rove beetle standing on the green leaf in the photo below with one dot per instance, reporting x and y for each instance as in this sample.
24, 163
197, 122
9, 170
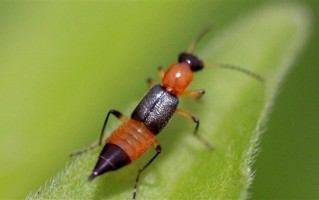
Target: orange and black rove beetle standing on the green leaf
138, 132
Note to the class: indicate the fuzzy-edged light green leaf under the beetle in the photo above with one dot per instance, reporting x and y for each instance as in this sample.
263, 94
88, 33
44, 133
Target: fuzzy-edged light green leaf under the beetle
233, 115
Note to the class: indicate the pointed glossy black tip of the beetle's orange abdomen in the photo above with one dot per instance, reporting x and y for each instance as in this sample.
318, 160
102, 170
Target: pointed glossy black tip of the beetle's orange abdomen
111, 158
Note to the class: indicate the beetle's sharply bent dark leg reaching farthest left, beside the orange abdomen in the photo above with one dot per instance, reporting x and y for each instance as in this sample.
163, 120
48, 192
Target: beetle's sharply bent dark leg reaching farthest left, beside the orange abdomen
118, 115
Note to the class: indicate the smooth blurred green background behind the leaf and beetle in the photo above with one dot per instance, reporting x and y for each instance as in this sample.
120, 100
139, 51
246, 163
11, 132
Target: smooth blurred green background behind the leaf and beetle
63, 65
